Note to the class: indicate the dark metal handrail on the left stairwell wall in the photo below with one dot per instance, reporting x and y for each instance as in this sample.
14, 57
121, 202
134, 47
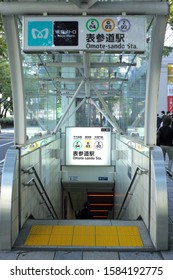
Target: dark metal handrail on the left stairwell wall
42, 192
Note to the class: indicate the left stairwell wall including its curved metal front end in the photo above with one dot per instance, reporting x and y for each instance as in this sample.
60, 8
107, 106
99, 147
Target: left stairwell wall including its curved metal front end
18, 201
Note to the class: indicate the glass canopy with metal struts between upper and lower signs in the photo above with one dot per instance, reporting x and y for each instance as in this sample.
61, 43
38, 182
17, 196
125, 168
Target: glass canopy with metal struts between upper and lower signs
115, 95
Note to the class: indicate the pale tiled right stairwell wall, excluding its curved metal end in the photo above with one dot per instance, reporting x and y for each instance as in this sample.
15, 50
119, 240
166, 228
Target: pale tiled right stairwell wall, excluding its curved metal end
131, 156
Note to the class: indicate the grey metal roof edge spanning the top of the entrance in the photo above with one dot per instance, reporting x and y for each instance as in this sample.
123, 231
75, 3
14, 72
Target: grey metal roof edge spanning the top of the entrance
100, 8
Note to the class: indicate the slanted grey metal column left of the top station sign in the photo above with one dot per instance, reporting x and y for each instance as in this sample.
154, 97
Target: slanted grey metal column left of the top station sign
12, 38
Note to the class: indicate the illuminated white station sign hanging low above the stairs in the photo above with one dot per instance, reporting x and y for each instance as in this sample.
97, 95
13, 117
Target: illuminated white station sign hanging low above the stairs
88, 146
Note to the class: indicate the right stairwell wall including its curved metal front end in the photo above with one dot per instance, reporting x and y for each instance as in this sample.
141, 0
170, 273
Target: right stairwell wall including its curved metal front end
148, 196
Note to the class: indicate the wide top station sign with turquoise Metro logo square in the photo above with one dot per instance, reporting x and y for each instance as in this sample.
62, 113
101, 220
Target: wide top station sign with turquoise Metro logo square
109, 33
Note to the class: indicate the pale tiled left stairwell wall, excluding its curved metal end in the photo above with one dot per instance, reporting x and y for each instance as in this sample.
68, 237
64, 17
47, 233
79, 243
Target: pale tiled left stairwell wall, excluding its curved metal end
47, 164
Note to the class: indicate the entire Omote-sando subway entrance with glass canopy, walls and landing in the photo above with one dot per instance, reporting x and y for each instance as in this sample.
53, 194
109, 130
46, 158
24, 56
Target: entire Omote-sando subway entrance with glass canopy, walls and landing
85, 78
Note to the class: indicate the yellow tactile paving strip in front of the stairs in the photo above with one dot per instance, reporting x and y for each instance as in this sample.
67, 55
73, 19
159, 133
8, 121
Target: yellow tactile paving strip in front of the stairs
85, 236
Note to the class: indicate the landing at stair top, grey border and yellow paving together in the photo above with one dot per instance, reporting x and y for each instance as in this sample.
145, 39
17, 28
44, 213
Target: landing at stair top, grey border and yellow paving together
84, 234
